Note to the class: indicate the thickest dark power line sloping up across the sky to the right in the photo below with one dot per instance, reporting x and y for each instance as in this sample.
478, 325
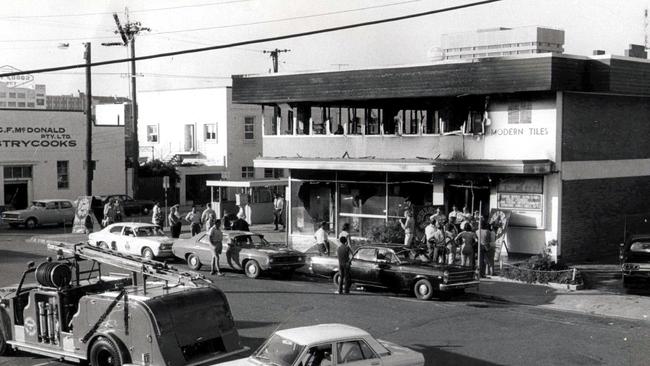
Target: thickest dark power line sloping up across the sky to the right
254, 41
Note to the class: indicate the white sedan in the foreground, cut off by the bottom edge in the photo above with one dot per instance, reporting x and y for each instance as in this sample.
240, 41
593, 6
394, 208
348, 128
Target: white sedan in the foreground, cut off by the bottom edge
328, 345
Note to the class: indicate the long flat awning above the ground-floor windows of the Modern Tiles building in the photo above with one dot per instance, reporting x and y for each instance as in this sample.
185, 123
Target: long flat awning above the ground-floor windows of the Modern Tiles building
410, 165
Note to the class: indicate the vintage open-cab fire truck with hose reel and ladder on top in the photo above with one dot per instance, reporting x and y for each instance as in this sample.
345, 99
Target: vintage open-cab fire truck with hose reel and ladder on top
75, 313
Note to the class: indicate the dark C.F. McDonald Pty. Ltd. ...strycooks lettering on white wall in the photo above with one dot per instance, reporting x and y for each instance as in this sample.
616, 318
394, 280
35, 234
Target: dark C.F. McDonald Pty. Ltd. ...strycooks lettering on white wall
13, 137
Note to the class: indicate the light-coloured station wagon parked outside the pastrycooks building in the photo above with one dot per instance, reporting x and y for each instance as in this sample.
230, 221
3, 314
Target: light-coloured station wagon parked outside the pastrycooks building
41, 212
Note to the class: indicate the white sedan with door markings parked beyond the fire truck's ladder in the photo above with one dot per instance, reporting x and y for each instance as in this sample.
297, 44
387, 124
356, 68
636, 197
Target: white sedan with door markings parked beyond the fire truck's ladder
146, 240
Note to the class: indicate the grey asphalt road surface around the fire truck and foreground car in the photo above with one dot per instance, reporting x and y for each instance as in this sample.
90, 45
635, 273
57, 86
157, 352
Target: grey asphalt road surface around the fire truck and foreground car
468, 330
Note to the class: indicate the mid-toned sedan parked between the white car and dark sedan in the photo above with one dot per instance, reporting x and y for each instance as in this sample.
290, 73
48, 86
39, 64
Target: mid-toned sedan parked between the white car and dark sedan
242, 250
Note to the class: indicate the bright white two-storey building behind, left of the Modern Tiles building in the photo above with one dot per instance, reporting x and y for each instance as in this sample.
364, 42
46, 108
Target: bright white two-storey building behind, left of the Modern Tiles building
202, 129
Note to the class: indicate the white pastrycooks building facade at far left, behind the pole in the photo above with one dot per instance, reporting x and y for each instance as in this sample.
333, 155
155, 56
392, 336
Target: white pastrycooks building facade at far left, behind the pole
42, 155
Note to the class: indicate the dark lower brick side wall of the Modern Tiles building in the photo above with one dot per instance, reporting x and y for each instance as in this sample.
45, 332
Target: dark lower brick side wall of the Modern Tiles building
593, 213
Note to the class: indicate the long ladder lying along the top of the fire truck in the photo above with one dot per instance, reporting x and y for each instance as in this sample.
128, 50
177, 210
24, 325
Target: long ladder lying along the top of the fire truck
148, 268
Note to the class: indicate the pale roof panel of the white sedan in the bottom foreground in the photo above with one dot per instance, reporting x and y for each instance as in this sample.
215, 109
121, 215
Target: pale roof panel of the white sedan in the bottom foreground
321, 333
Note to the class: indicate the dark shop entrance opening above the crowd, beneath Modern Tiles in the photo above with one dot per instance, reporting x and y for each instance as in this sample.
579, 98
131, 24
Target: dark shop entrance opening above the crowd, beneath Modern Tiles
467, 194
